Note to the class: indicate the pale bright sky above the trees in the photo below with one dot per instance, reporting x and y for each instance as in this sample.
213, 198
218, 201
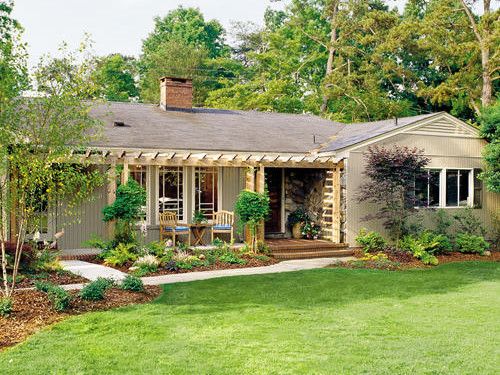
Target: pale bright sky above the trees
119, 25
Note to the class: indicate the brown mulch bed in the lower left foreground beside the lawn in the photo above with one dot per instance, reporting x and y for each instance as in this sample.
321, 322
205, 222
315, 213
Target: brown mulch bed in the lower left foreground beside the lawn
32, 311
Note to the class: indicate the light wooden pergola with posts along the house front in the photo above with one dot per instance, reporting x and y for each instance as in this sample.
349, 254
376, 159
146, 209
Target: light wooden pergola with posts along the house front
254, 162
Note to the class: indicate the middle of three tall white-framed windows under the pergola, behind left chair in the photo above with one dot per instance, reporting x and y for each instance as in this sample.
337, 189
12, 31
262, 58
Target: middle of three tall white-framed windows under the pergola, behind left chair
170, 197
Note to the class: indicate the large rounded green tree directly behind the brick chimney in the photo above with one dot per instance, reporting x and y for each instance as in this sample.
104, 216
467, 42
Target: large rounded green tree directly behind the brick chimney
184, 44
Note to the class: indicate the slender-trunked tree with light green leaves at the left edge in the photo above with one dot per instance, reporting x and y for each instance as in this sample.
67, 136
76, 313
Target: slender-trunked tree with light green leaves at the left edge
37, 136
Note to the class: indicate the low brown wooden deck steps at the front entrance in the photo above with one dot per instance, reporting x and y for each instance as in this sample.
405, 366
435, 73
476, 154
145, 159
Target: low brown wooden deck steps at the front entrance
303, 249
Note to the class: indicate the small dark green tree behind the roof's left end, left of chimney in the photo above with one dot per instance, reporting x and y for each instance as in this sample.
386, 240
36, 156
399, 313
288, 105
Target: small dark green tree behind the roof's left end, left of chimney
114, 76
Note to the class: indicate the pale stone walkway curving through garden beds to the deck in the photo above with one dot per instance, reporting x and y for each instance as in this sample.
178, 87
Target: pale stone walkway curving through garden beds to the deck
92, 271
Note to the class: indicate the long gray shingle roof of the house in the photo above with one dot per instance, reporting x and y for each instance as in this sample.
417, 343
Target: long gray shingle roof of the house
149, 127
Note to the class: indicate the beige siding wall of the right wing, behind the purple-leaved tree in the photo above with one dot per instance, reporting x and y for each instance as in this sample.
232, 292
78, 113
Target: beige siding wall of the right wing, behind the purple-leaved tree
444, 152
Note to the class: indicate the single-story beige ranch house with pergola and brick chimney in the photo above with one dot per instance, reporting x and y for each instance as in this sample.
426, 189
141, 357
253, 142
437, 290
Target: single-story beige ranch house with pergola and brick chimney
200, 159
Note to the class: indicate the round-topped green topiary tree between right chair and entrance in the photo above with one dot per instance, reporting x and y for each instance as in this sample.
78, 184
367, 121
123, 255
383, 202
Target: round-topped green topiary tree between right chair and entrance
251, 209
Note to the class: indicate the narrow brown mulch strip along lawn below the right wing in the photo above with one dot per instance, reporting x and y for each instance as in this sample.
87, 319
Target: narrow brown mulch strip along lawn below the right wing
400, 260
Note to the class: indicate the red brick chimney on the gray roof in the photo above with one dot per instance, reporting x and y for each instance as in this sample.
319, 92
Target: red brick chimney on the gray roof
176, 93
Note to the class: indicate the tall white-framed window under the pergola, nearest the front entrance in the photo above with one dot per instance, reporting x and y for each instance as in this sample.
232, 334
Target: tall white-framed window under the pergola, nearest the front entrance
206, 190
